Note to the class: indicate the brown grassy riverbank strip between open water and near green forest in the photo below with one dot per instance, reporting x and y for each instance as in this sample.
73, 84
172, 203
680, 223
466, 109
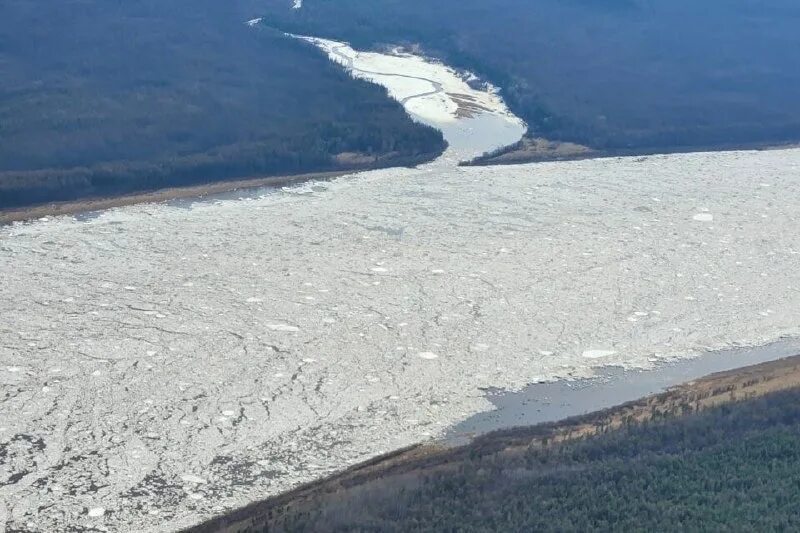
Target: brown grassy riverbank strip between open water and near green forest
408, 467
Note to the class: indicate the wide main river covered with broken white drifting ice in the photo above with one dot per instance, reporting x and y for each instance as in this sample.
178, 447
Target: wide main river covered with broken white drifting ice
159, 365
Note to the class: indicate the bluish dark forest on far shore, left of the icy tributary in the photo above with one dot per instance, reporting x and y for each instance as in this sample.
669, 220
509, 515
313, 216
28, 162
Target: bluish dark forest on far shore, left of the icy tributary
102, 98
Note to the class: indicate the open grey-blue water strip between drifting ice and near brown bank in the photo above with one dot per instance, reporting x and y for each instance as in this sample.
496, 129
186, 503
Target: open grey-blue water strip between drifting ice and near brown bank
549, 402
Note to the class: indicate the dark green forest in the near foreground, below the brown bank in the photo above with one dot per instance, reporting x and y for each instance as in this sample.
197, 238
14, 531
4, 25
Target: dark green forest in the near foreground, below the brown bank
730, 468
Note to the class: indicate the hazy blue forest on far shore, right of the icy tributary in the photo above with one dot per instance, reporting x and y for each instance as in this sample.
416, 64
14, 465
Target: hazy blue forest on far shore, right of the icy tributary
614, 75
